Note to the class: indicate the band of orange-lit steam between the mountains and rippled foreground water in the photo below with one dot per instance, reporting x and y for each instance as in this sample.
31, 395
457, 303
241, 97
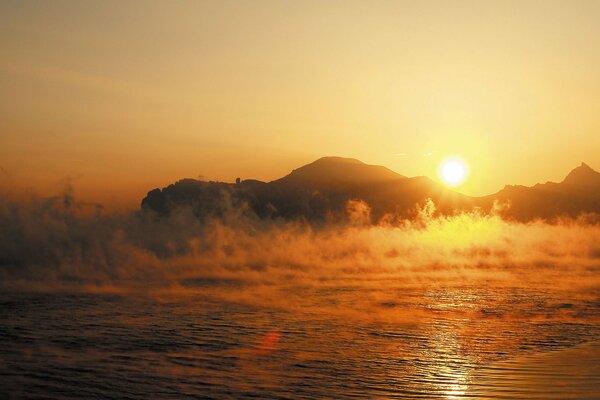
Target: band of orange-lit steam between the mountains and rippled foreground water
46, 245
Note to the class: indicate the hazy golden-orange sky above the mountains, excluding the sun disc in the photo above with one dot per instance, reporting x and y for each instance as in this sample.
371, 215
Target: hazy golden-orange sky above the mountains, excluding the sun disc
124, 96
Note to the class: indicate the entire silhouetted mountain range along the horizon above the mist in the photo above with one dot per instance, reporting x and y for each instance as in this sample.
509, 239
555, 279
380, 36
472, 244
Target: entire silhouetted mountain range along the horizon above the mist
319, 192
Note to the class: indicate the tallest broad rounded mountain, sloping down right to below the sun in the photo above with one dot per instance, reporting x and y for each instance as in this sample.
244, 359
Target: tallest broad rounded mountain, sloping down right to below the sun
322, 189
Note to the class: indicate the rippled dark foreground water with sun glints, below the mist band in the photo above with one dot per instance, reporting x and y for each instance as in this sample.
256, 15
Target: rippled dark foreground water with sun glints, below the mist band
445, 342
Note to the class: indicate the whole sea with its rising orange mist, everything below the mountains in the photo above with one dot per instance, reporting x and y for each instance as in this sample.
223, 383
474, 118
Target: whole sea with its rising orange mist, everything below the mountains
136, 306
